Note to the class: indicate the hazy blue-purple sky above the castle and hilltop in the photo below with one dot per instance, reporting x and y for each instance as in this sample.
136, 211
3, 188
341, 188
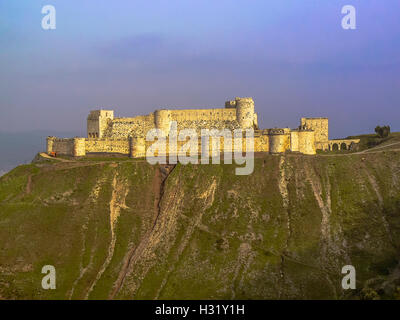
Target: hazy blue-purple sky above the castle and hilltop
293, 57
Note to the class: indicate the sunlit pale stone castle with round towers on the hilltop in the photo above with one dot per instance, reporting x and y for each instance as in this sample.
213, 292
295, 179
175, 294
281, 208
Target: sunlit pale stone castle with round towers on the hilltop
106, 134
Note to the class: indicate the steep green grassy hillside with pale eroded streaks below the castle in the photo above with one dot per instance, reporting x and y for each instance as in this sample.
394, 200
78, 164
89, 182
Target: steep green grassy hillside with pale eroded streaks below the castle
123, 229
